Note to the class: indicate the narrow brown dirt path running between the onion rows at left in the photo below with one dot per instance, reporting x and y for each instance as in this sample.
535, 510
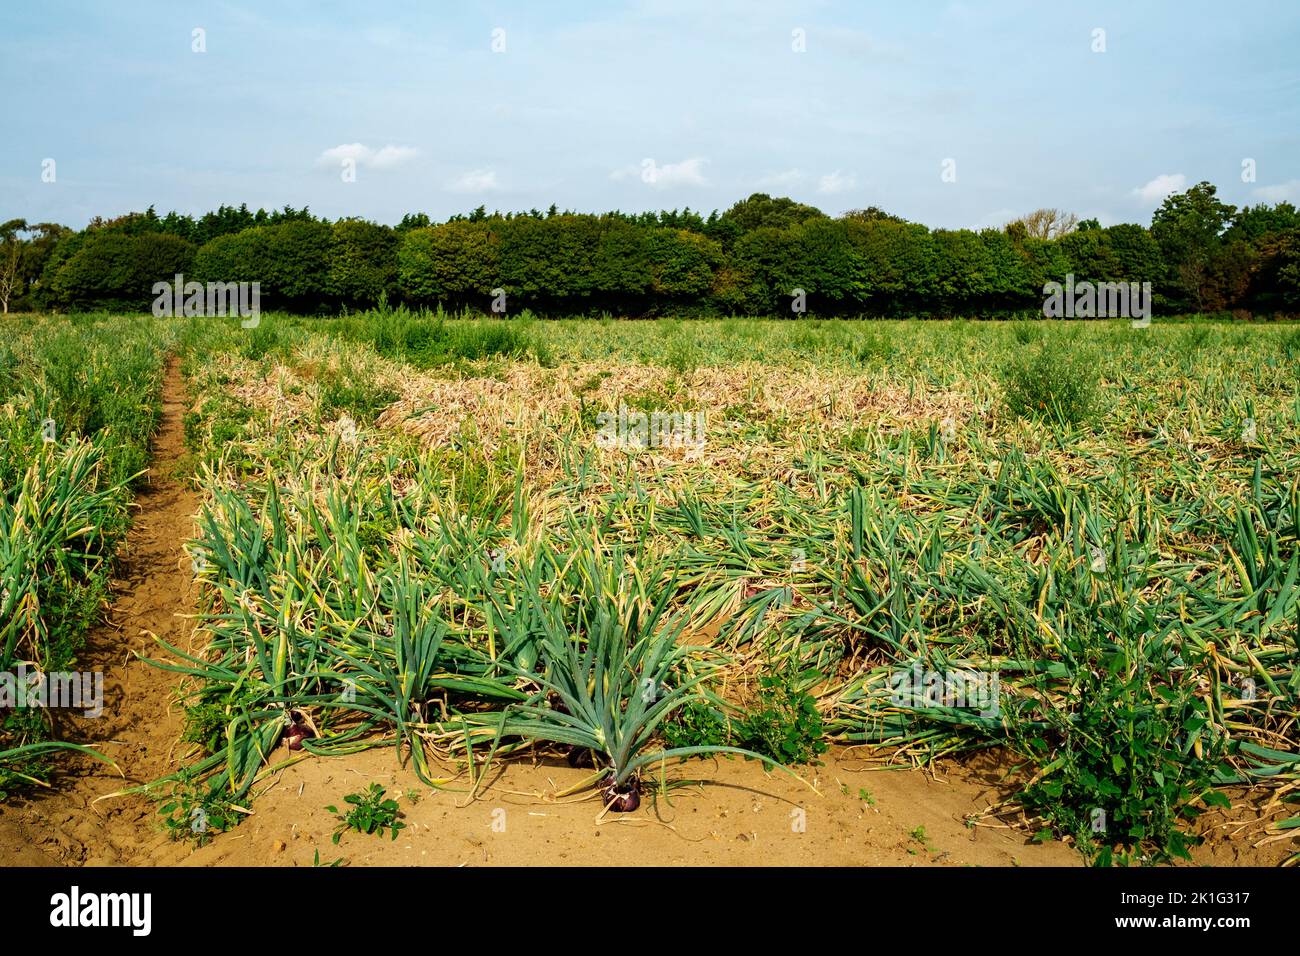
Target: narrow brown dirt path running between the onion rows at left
68, 824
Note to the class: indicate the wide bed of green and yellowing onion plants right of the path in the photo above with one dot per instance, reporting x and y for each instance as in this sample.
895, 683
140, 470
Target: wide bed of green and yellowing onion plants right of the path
512, 582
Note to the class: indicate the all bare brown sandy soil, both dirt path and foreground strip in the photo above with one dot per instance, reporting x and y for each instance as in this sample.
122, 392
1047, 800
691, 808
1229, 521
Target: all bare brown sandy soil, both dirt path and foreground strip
846, 812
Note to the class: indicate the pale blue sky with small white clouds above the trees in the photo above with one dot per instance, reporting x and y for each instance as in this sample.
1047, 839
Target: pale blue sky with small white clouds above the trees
947, 114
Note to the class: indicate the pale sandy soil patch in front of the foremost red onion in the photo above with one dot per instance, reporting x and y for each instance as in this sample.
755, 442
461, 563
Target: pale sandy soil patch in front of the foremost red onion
740, 816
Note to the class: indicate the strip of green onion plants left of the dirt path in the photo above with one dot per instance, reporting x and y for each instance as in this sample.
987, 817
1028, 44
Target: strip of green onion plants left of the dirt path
77, 406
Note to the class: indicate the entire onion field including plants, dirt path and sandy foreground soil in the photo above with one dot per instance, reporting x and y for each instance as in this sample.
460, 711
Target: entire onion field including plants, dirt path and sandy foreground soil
889, 592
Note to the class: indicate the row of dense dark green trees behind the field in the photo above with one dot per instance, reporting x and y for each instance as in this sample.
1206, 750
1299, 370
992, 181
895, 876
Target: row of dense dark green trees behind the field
1199, 254
